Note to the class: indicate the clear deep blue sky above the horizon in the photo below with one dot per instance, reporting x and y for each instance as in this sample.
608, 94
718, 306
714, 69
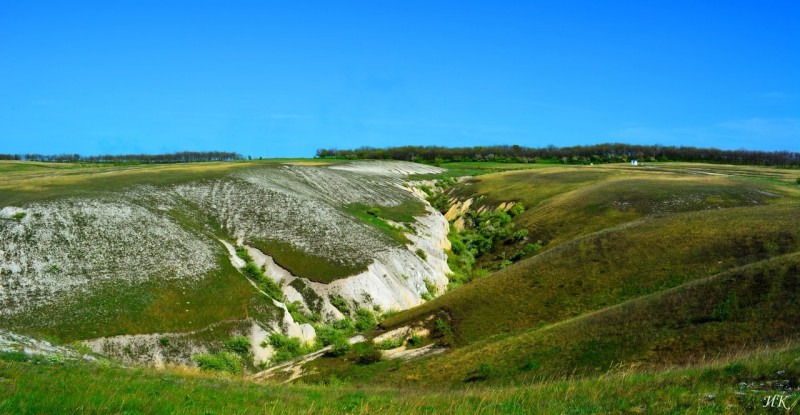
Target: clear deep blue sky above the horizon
283, 79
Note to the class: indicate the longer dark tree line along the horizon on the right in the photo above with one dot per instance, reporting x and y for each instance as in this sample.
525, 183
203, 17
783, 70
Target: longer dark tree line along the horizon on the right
599, 153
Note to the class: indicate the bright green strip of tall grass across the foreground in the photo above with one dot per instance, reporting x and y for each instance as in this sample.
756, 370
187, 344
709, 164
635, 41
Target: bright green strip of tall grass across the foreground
727, 386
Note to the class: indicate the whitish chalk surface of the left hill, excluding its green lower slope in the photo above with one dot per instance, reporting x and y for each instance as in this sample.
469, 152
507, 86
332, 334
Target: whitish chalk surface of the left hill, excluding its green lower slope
66, 247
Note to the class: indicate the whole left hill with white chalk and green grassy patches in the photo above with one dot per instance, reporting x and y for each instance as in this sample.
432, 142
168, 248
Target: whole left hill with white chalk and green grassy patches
95, 250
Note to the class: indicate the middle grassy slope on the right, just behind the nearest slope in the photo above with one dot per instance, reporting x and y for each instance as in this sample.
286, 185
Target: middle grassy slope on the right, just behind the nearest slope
607, 267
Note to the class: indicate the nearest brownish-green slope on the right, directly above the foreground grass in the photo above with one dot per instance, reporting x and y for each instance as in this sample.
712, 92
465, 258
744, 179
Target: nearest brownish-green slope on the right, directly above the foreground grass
741, 309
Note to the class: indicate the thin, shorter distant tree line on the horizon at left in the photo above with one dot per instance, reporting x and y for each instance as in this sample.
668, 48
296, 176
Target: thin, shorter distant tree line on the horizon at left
179, 157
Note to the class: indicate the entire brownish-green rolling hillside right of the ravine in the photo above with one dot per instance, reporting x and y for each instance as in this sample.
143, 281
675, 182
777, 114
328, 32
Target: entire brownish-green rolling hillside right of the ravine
654, 267
